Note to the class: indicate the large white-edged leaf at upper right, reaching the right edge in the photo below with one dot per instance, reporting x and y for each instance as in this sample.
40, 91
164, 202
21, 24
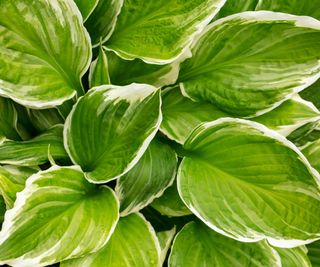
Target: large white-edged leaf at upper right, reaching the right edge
249, 63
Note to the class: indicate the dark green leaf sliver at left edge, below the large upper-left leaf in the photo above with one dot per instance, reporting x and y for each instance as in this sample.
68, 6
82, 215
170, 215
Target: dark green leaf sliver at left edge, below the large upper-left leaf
8, 123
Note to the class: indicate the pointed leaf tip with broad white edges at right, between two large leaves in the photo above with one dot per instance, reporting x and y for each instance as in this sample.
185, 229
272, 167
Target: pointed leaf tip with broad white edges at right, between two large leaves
289, 116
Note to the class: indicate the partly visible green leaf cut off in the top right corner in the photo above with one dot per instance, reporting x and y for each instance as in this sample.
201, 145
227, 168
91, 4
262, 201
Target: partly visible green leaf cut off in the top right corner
296, 7
